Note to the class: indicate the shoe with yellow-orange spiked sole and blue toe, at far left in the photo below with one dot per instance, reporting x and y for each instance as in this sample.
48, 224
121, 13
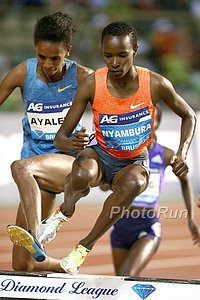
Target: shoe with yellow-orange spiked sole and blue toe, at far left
21, 237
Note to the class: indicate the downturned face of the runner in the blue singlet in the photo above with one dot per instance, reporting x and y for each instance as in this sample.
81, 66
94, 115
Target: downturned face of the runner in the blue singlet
51, 56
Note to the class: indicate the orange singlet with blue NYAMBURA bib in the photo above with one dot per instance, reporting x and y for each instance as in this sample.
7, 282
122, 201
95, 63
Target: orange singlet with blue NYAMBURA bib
123, 126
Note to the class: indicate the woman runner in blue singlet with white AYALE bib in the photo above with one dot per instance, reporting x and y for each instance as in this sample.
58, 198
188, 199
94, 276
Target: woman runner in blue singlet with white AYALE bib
47, 84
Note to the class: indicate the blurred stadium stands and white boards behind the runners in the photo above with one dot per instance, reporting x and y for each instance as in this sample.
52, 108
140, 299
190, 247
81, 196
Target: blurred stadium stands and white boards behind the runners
169, 43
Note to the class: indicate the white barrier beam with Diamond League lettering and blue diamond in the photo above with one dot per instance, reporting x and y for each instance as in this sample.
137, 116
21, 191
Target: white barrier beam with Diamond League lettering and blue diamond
88, 287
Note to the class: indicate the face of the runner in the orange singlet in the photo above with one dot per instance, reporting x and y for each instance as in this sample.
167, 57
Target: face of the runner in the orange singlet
118, 54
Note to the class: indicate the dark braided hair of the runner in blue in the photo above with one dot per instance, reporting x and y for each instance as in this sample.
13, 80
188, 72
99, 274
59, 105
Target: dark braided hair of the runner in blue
56, 28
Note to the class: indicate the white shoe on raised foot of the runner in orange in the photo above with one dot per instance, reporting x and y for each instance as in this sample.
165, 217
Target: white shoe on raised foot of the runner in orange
49, 227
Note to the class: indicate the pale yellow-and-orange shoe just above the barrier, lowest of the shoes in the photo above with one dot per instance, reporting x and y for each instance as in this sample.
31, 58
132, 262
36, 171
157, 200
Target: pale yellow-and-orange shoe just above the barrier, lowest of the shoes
71, 263
